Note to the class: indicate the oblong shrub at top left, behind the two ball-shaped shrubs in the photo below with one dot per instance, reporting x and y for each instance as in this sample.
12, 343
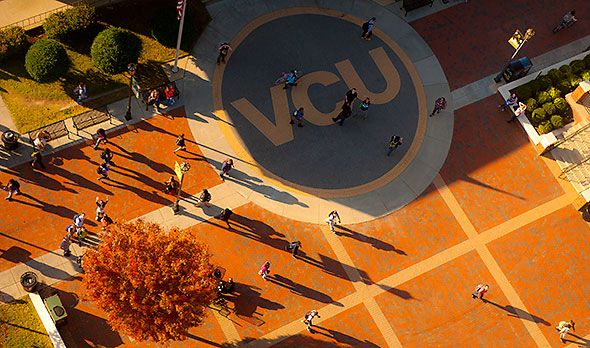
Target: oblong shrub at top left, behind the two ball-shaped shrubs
61, 24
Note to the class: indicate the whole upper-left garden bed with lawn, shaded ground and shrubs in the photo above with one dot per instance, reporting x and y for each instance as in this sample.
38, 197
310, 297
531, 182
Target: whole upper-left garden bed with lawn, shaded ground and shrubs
34, 104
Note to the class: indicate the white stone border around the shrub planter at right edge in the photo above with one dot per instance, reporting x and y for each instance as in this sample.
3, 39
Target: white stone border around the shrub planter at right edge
548, 139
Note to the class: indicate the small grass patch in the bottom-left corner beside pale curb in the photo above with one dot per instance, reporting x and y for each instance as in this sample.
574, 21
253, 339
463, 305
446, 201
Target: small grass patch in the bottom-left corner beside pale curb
20, 325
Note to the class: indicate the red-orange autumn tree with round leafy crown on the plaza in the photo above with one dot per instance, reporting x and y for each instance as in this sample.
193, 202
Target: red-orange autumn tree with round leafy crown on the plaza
152, 284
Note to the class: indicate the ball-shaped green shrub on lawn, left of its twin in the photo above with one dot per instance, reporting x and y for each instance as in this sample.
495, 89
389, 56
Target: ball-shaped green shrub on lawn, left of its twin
46, 60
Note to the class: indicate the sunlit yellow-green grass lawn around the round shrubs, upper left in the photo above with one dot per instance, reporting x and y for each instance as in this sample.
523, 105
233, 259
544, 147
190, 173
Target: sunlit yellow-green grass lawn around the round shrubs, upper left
33, 104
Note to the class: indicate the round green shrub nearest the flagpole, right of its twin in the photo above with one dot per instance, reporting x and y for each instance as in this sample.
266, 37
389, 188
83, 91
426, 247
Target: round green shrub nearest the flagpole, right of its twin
114, 48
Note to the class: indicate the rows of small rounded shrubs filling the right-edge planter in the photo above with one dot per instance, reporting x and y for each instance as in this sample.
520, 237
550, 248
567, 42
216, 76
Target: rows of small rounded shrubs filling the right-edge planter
544, 96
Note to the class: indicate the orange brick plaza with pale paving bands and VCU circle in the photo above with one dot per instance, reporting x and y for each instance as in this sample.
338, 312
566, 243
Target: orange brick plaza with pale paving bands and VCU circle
466, 200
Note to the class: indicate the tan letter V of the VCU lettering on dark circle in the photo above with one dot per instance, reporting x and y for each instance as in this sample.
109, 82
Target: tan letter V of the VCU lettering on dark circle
279, 132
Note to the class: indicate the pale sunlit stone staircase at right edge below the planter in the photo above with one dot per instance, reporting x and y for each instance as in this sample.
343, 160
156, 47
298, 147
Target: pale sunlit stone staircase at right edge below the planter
573, 156
